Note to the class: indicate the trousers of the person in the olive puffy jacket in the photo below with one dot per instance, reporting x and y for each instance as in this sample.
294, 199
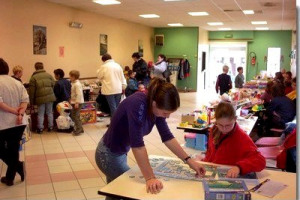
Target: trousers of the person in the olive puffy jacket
41, 113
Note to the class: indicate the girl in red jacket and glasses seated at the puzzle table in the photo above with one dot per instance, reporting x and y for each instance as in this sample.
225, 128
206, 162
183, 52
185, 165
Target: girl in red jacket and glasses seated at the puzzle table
228, 144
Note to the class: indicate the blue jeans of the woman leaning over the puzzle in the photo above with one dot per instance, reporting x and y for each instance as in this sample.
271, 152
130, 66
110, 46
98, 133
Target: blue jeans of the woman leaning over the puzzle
111, 164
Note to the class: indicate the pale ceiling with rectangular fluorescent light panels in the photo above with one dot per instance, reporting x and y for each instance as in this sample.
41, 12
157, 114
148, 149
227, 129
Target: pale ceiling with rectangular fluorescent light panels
279, 14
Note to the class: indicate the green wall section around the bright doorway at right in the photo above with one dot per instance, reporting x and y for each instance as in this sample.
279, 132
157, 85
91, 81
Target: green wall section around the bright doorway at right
259, 42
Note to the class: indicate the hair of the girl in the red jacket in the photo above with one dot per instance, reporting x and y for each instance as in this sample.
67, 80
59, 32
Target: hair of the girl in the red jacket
223, 110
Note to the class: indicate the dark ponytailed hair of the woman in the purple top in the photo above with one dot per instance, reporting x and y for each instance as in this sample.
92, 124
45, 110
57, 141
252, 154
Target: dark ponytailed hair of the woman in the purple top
164, 94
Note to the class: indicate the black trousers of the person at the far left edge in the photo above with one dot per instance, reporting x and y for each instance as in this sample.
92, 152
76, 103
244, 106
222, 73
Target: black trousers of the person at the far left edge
9, 149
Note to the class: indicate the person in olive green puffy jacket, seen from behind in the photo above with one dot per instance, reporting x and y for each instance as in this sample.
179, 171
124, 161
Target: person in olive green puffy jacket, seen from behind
41, 94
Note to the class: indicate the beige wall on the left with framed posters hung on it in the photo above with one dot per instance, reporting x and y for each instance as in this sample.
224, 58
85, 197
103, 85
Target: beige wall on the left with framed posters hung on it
17, 18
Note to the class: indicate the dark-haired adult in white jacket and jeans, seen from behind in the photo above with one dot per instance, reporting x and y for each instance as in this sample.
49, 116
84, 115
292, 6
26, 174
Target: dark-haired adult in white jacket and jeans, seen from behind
113, 81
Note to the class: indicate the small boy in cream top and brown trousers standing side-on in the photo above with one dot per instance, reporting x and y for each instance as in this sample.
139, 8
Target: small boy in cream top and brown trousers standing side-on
76, 101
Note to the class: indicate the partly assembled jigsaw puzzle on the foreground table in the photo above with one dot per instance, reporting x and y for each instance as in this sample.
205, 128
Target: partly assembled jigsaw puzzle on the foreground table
177, 169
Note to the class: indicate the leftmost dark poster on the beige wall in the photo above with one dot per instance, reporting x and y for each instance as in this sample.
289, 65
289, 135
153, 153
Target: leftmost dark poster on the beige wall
39, 40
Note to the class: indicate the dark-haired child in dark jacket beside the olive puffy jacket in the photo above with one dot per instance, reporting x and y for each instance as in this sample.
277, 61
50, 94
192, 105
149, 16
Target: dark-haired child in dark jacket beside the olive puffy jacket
62, 87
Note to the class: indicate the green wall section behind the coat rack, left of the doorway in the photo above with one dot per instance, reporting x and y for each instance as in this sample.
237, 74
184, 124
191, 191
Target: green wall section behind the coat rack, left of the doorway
179, 42
